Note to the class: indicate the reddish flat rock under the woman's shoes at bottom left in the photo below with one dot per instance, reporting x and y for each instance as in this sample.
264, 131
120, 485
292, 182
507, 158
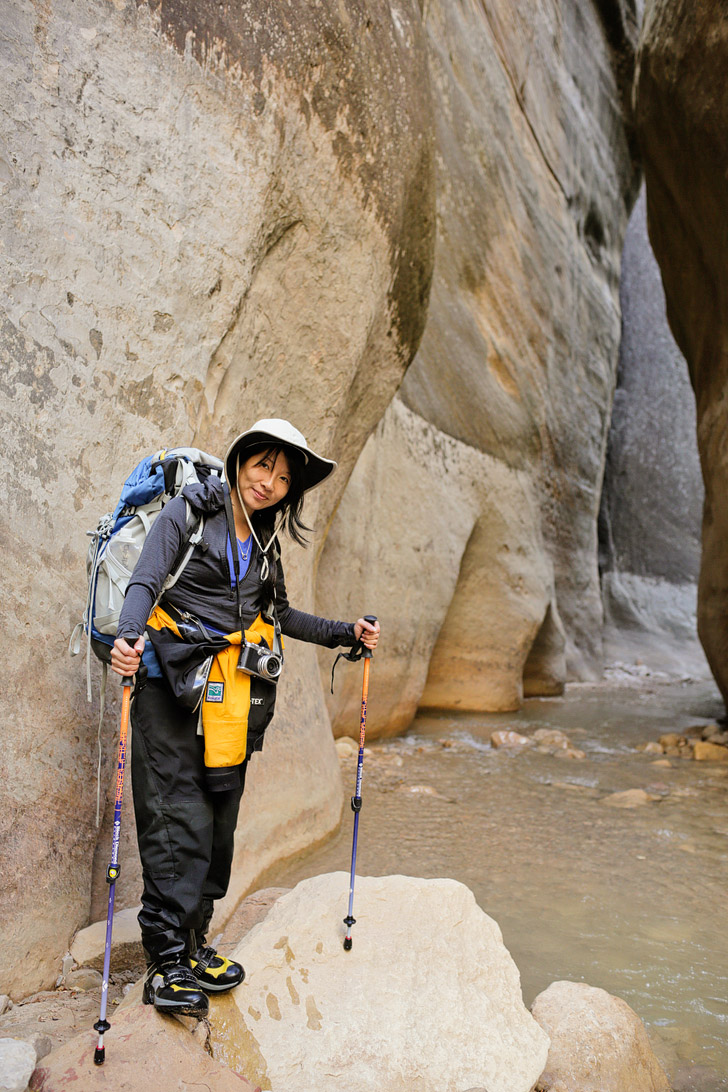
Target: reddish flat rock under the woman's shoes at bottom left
147, 1051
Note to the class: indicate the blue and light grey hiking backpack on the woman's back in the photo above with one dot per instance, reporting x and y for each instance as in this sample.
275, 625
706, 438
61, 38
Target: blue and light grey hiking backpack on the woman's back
117, 542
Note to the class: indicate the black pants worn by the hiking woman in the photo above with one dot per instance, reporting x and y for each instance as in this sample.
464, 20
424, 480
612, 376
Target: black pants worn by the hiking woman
185, 833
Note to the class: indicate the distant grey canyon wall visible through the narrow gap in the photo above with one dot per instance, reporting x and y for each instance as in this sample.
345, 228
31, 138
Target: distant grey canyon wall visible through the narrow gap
653, 492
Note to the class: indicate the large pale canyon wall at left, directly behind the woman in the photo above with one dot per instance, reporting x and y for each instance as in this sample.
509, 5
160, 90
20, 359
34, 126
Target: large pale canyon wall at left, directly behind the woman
216, 213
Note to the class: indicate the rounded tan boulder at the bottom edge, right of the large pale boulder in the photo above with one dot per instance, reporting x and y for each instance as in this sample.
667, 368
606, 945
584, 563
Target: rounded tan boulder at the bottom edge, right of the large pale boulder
598, 1042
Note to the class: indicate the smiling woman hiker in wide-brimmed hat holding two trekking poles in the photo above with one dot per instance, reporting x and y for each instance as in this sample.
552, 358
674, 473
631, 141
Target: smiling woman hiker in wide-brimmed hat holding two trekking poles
208, 696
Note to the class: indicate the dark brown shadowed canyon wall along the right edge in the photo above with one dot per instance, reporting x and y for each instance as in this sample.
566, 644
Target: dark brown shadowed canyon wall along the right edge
682, 111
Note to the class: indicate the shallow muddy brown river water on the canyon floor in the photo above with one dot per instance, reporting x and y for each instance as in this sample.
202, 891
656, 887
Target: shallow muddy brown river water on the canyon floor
634, 901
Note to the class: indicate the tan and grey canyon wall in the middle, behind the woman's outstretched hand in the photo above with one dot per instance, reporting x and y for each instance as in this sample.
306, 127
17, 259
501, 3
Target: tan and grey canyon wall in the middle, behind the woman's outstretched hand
471, 521
